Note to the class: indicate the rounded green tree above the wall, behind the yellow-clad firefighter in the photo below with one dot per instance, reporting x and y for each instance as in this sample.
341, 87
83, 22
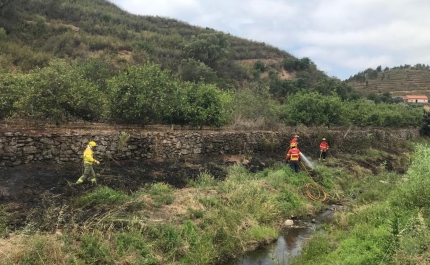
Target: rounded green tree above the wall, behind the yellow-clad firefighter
60, 93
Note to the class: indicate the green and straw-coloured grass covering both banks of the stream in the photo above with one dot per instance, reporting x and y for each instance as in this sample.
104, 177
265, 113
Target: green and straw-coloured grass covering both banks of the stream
211, 221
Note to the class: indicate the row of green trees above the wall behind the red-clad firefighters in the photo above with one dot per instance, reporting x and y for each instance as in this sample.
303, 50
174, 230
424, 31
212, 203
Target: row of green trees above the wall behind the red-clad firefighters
315, 109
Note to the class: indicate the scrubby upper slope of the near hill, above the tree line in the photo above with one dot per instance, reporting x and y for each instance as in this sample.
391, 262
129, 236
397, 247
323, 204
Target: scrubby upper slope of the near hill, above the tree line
36, 32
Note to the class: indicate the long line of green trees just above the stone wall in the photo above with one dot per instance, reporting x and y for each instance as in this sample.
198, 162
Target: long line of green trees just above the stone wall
147, 94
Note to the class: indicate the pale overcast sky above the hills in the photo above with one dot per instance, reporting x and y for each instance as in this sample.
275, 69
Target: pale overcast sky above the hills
342, 37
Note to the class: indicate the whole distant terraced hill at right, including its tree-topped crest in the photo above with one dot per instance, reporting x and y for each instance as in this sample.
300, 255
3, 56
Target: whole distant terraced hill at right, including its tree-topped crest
398, 81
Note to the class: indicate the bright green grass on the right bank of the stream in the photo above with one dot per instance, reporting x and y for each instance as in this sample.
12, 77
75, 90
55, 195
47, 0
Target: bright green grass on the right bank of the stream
387, 225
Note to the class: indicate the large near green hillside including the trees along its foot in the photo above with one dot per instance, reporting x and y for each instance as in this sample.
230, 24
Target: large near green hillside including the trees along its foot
82, 60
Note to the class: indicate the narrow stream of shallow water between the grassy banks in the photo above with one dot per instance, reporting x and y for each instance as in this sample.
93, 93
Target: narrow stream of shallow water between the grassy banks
288, 245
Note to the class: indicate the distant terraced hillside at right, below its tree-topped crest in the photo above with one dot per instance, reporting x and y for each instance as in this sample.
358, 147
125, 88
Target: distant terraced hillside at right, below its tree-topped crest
398, 82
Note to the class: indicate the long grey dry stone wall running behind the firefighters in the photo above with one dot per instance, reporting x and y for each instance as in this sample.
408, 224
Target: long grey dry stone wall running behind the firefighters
18, 148
